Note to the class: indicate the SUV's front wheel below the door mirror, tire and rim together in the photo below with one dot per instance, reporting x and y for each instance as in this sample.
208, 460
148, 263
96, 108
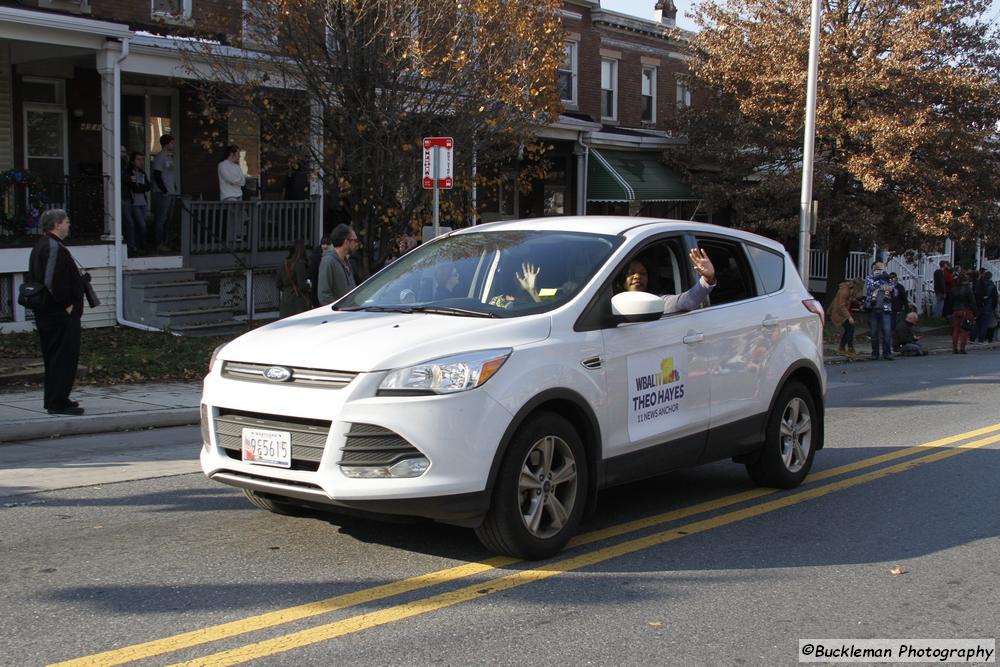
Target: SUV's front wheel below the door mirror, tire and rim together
540, 492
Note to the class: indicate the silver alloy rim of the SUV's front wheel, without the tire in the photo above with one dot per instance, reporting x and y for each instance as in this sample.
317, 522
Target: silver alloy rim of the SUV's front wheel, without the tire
547, 486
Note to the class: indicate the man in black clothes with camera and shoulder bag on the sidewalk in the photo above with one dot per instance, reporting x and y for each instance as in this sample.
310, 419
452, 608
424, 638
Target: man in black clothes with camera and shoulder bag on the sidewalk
58, 320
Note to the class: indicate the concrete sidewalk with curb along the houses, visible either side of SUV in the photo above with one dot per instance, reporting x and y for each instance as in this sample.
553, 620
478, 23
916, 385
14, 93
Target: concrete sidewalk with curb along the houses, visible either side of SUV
137, 406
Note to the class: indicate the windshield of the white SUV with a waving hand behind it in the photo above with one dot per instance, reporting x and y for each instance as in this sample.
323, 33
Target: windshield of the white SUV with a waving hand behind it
487, 274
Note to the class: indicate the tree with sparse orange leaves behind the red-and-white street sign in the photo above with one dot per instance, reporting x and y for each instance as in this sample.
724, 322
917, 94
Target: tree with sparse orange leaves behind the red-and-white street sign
378, 75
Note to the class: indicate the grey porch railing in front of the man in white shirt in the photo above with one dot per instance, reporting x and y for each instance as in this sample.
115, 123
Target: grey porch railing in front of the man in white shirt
246, 228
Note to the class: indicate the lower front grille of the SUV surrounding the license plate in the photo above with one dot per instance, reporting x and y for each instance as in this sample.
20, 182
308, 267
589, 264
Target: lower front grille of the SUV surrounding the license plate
308, 435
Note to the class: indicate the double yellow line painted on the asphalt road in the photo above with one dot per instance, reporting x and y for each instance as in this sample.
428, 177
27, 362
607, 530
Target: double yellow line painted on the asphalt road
946, 448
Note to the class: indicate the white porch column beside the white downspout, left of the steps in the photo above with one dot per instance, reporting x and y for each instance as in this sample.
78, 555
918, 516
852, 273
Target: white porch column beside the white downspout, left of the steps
110, 122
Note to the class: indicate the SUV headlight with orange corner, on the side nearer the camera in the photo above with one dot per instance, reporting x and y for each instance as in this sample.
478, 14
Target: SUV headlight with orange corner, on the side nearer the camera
446, 375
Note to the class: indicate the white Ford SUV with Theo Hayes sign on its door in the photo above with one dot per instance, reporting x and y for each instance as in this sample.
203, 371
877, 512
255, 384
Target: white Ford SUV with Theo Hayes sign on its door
501, 375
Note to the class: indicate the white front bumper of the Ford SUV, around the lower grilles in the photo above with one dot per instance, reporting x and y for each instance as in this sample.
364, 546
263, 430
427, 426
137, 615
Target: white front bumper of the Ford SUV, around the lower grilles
459, 434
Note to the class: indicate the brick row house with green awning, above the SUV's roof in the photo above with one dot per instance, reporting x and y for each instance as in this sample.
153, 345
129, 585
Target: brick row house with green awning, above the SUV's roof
621, 80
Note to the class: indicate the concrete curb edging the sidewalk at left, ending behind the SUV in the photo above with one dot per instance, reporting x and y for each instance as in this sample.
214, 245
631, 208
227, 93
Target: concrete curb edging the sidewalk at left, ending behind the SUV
54, 426
